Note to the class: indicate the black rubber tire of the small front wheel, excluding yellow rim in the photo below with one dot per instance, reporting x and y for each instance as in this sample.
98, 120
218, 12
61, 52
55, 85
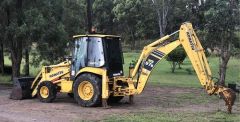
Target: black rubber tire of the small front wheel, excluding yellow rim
51, 94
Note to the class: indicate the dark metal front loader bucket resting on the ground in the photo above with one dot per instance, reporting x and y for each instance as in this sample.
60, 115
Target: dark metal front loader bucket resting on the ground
21, 88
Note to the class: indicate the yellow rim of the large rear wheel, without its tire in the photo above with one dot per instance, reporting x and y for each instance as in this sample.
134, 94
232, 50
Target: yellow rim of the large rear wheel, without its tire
85, 90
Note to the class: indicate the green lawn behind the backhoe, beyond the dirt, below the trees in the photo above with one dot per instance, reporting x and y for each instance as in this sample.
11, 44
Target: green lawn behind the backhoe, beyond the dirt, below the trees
162, 75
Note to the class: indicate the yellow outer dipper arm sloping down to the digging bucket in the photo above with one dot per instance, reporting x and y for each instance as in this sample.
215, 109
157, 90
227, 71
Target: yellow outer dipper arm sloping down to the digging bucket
195, 53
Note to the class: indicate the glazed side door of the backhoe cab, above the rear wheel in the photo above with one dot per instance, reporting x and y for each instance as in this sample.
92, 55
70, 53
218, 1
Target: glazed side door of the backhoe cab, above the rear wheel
88, 52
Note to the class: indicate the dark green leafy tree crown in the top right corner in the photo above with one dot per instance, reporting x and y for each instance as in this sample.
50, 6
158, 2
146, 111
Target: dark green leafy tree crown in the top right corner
222, 22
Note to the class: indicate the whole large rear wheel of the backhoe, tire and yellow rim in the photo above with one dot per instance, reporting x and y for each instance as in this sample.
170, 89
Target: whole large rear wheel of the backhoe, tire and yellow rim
87, 90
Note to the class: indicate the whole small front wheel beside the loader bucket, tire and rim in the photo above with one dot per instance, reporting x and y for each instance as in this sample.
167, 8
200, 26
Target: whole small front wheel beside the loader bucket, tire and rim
47, 92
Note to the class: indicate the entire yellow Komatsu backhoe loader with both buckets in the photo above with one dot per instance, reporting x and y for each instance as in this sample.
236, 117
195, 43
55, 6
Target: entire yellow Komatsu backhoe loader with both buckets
94, 74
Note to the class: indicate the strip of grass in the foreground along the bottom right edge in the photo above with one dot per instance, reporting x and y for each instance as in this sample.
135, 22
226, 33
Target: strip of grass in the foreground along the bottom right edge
154, 116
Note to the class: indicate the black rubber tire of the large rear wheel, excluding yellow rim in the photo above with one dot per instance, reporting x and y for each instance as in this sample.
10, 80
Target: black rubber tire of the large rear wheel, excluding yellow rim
97, 90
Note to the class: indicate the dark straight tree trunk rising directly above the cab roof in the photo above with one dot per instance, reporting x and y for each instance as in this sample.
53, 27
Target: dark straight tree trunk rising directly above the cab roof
89, 16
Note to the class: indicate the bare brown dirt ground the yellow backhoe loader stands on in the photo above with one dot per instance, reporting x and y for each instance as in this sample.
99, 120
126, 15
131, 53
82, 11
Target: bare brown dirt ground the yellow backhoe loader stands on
166, 99
